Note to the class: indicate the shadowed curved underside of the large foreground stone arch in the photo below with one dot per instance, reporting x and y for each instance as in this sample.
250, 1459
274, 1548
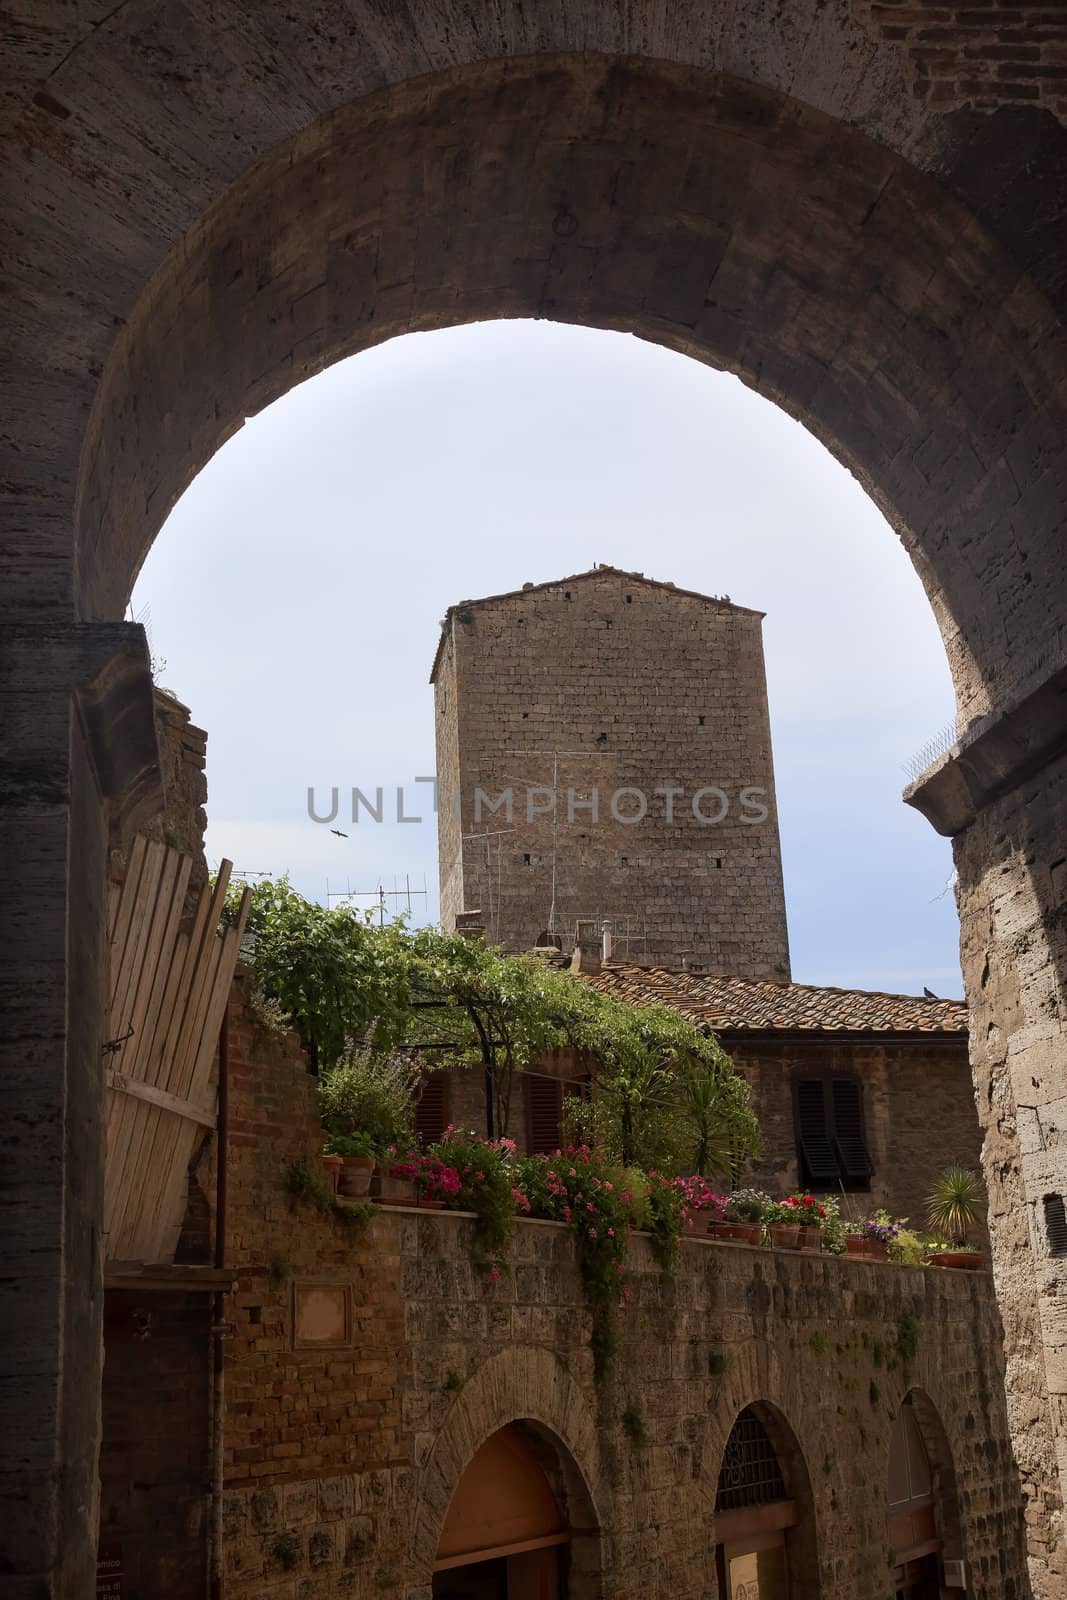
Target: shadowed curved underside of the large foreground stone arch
711, 215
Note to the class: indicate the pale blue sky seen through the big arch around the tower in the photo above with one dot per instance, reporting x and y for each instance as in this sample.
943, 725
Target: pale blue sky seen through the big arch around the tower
297, 590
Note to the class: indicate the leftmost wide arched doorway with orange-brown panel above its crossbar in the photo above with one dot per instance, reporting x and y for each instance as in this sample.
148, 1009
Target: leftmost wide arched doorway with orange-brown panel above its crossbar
508, 1530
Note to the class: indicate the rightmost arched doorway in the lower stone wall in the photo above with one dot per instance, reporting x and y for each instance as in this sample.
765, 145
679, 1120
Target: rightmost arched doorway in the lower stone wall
922, 1527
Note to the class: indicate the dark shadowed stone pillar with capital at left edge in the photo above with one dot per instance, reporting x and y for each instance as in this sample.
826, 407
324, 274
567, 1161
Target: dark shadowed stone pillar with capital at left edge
79, 759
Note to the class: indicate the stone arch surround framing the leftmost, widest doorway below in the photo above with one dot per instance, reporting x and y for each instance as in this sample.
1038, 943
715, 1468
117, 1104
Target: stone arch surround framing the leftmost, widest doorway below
522, 1385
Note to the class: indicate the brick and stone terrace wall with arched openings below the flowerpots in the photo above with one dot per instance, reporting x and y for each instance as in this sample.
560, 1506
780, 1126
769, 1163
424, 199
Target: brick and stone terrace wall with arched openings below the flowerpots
342, 1462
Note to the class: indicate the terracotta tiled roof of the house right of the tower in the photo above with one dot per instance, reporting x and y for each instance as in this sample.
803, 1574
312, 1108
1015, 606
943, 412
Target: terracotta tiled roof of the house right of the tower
735, 1004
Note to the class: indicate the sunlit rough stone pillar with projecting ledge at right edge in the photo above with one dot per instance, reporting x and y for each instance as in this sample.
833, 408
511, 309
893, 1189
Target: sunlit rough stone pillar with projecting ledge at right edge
1002, 796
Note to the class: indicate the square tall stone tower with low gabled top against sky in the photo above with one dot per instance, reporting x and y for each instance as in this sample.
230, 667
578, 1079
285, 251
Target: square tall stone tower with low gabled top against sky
604, 761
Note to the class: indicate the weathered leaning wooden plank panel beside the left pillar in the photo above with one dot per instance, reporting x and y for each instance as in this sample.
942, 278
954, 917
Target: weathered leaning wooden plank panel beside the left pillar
169, 991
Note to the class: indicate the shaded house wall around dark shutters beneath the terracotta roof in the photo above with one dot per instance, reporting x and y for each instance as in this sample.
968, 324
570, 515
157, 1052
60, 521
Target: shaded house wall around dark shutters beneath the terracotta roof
919, 1111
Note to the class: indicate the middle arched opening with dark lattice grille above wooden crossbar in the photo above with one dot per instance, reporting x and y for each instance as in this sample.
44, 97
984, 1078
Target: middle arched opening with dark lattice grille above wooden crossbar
754, 1514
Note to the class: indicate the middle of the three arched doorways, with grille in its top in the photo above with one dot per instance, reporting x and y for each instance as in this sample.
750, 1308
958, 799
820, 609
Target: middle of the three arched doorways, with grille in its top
761, 1513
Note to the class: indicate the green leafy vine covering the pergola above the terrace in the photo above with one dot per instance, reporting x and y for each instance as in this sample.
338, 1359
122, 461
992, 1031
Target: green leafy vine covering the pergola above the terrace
668, 1097
